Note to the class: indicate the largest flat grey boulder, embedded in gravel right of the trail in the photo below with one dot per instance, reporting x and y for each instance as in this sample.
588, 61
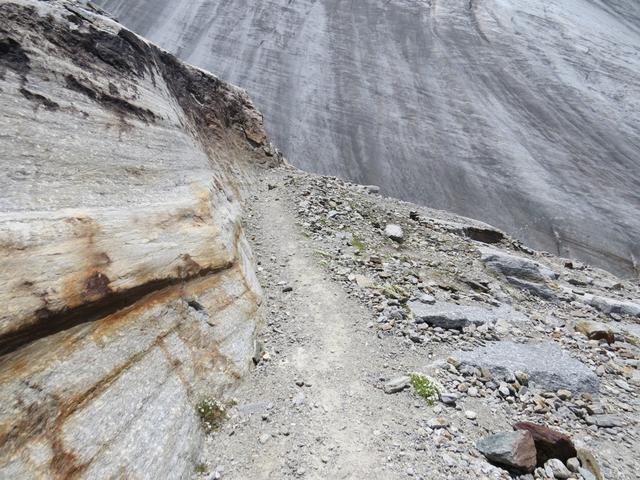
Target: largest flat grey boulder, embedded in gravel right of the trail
504, 358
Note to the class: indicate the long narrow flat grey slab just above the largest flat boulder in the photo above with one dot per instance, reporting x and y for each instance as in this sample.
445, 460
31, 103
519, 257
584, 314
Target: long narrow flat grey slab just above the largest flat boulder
454, 316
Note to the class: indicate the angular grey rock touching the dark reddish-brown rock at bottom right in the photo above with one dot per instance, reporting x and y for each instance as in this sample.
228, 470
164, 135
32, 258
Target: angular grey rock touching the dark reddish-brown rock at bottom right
513, 450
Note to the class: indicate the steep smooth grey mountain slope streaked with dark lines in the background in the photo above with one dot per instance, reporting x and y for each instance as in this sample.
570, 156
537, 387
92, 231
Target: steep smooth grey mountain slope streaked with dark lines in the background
523, 114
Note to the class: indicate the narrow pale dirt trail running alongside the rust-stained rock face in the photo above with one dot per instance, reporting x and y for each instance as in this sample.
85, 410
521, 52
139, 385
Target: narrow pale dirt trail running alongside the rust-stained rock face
312, 409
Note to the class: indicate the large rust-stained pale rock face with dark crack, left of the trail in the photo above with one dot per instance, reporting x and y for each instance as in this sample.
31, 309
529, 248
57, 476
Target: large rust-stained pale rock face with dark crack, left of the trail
127, 290
